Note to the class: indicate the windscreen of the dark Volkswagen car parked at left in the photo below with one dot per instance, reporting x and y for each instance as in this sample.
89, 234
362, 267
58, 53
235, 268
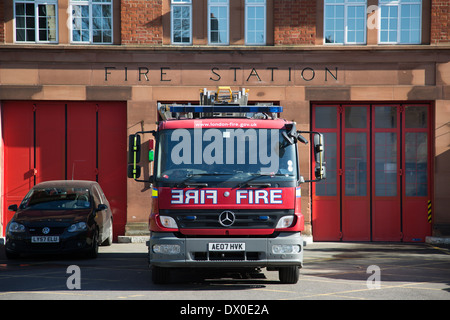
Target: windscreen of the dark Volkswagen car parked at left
57, 198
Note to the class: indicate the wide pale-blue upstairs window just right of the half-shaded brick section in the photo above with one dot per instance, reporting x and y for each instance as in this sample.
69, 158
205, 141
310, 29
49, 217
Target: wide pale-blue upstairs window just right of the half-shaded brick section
345, 21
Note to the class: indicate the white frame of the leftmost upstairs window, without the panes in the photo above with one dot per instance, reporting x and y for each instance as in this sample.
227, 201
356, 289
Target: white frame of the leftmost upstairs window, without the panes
36, 4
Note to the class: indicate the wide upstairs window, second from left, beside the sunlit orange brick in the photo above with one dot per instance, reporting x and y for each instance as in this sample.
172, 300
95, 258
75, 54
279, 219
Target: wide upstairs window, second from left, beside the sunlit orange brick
91, 21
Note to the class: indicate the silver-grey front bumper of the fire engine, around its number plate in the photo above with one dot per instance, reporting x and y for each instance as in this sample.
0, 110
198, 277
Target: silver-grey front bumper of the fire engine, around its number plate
193, 252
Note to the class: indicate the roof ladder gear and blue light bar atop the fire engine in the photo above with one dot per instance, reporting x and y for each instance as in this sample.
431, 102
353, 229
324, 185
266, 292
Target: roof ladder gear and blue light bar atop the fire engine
223, 103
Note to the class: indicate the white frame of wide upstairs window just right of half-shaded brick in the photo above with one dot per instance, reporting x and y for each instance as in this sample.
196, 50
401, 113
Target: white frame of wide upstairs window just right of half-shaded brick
346, 4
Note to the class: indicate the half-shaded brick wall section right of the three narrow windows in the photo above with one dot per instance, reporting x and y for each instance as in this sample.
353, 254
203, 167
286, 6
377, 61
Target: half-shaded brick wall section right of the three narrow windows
294, 22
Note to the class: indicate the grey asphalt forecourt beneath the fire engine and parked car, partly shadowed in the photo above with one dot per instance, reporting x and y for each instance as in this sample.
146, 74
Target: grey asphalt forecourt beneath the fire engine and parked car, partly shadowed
332, 271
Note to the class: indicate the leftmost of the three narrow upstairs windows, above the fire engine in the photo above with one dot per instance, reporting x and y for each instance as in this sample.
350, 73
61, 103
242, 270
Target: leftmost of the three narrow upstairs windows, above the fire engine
181, 19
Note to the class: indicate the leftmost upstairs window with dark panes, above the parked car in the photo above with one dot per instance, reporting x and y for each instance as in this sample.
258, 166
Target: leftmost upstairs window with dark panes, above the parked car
36, 21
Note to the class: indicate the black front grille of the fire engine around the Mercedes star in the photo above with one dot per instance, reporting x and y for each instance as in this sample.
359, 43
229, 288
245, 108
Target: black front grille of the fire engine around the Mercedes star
249, 219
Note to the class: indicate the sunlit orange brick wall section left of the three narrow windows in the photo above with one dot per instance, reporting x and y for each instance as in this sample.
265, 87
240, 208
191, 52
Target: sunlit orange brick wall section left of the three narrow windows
141, 21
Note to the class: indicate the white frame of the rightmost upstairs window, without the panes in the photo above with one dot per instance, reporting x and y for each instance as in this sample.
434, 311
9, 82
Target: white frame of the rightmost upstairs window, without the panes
399, 4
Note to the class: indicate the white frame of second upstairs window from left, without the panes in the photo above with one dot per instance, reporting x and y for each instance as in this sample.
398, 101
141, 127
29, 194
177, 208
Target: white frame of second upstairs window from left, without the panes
90, 4
